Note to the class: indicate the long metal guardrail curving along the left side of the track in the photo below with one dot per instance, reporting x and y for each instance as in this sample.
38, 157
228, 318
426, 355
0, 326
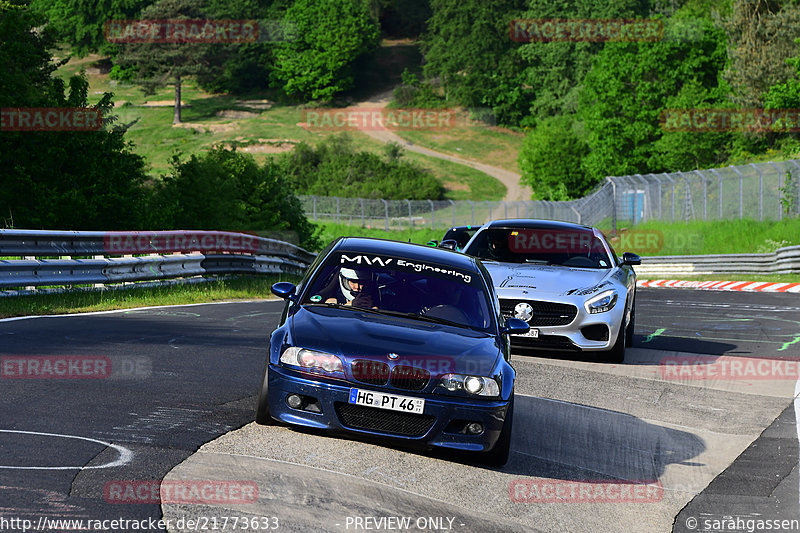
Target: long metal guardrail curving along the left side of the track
150, 255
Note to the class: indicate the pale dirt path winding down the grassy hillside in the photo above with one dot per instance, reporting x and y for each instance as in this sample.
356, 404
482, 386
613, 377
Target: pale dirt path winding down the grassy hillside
514, 190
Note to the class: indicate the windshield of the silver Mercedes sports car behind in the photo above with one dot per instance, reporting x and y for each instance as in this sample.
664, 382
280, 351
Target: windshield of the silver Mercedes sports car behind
572, 247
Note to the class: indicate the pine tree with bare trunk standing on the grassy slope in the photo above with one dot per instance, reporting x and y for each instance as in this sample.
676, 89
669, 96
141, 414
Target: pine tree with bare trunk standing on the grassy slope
157, 63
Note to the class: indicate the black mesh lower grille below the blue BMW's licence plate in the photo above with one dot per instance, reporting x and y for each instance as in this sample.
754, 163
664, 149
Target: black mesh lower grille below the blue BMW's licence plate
374, 419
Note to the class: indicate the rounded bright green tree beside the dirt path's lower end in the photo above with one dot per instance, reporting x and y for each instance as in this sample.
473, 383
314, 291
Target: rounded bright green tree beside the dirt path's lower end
550, 160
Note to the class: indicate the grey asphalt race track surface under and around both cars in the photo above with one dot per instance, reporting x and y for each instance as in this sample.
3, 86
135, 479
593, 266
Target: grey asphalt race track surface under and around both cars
173, 380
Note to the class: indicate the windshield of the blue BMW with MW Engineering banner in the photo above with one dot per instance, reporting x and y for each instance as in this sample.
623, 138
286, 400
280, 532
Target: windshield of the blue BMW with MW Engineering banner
396, 286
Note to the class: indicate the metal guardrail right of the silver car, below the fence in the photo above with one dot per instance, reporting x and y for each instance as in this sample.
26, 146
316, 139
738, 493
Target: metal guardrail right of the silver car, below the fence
782, 261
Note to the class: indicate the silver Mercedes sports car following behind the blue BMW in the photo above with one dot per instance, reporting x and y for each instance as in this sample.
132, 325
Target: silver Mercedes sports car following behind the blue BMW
564, 279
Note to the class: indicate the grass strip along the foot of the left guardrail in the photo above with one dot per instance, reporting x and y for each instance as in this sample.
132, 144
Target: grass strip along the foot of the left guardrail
234, 288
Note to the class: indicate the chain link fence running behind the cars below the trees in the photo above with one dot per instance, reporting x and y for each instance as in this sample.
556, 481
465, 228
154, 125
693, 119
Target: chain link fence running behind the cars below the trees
760, 191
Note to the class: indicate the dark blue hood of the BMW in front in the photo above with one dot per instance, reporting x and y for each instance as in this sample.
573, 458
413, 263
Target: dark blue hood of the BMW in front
352, 335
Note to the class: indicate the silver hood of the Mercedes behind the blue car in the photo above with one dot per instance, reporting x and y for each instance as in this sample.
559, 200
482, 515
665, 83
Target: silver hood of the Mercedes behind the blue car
544, 279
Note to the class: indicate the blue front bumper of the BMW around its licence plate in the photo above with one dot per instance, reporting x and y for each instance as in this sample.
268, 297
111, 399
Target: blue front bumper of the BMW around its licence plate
437, 426
